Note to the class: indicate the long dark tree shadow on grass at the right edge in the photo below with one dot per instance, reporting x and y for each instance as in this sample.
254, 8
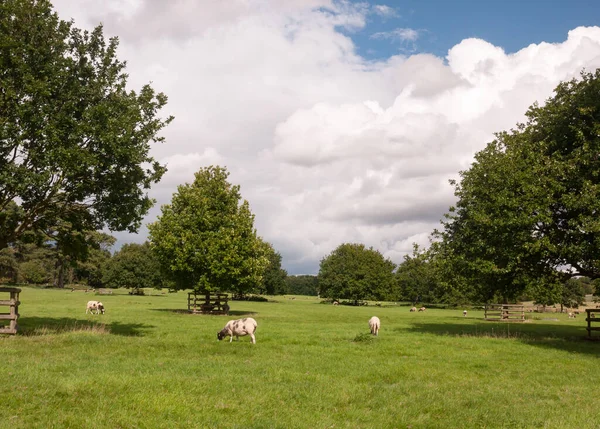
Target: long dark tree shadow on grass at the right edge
567, 337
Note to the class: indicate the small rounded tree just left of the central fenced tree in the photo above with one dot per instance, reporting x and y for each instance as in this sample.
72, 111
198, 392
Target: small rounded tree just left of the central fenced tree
134, 266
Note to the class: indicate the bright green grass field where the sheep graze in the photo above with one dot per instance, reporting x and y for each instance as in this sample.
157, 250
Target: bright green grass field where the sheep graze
147, 363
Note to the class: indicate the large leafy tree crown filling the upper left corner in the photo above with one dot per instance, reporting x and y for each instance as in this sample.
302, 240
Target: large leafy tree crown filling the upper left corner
74, 142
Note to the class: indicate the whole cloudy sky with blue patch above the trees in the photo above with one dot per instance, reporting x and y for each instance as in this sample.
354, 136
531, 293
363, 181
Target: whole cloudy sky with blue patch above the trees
341, 121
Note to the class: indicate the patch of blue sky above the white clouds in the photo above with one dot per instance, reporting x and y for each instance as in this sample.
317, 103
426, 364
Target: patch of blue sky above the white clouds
441, 24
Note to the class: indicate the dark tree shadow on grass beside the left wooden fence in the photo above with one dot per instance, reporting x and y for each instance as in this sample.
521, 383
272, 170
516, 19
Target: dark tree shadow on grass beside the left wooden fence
39, 326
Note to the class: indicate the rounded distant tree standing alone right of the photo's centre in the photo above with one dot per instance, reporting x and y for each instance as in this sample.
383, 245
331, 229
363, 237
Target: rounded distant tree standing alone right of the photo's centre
354, 272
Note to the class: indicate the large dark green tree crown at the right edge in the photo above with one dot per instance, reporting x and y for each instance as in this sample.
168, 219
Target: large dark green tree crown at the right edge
527, 208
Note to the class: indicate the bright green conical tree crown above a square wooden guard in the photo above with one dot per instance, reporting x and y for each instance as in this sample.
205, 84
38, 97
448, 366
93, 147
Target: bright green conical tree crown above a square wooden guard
205, 239
